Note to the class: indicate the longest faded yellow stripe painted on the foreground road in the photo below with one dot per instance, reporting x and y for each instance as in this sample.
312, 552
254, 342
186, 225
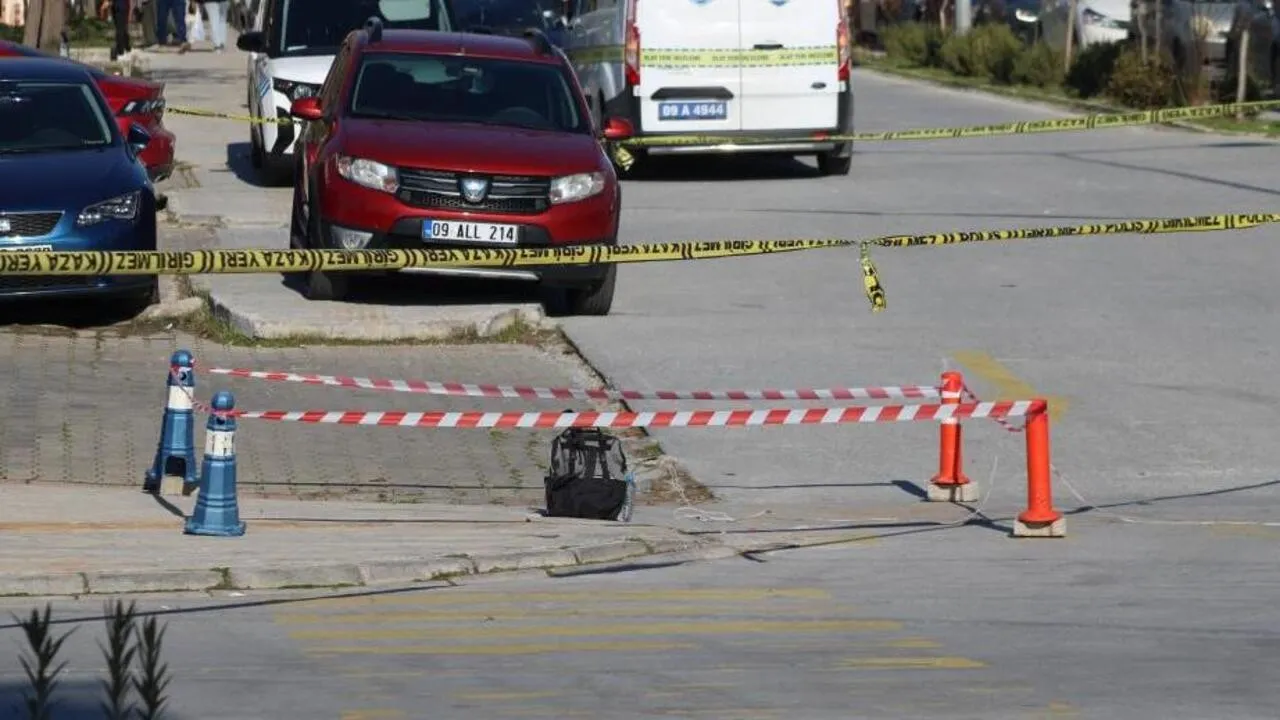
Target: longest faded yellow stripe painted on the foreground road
630, 630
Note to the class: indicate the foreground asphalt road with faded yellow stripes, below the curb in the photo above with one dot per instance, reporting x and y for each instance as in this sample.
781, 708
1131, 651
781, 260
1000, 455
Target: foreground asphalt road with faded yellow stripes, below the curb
1107, 626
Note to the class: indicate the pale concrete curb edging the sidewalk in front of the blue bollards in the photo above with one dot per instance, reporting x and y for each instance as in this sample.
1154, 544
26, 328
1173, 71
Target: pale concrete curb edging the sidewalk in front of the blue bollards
348, 575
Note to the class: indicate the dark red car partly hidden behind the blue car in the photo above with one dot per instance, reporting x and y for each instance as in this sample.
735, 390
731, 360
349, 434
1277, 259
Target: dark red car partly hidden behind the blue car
134, 101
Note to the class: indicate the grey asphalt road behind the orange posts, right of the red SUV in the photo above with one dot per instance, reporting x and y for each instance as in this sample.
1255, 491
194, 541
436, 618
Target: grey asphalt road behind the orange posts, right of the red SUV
1158, 352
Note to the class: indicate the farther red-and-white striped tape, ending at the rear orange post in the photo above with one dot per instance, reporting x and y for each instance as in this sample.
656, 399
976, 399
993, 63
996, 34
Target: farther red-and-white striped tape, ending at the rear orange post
476, 390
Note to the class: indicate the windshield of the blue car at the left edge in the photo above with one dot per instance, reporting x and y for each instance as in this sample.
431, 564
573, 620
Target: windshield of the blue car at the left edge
44, 117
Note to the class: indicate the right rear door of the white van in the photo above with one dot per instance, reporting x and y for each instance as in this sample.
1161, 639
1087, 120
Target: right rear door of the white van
790, 75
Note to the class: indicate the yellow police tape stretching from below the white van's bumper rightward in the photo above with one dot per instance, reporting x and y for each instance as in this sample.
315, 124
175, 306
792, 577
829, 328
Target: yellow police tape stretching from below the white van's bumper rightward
627, 160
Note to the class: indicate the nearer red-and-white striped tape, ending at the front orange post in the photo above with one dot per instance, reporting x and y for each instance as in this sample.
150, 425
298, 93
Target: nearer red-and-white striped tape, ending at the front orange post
659, 420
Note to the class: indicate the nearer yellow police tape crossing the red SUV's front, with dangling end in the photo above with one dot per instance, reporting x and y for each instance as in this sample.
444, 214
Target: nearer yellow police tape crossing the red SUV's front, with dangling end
220, 262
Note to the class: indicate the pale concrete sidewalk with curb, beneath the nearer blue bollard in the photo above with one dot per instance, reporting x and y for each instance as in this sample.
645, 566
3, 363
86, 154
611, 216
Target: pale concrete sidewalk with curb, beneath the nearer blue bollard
62, 540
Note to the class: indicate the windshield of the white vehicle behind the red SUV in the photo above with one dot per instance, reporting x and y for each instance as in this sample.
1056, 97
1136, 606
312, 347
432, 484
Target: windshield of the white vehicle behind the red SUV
318, 28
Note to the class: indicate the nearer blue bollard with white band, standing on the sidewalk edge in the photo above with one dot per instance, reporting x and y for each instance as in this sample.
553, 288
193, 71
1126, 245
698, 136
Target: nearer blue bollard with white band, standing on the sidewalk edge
217, 509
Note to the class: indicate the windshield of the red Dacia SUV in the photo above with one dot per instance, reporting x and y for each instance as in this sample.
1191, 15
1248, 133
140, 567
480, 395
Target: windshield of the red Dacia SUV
469, 90
